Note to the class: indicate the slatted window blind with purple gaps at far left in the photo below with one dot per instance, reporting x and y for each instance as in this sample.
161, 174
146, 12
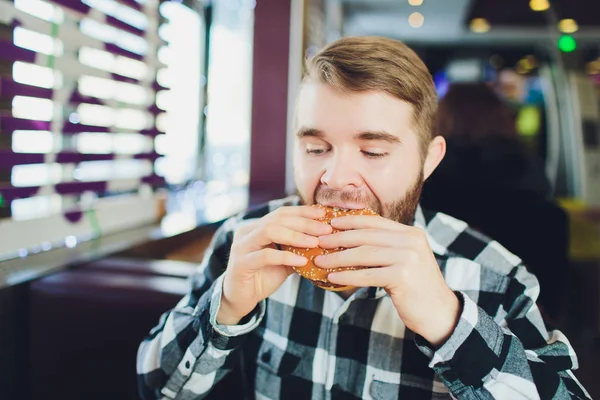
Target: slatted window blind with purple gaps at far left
78, 120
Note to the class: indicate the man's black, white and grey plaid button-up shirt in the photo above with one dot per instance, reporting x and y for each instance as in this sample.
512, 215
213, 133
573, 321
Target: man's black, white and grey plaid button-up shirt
307, 343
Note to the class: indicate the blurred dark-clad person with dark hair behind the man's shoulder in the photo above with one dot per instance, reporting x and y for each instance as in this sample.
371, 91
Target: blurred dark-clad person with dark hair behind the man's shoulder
489, 180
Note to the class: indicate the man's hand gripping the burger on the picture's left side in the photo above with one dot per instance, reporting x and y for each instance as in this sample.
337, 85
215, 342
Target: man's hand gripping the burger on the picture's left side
256, 268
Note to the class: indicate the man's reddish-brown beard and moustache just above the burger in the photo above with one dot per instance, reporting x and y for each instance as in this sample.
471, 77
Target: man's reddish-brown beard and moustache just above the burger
401, 210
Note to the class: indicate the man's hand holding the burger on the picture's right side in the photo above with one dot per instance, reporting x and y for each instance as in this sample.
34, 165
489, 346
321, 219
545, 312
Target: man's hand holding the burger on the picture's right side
402, 263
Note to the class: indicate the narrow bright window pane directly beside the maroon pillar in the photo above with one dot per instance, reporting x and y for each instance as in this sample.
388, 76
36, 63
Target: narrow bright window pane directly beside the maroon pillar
229, 106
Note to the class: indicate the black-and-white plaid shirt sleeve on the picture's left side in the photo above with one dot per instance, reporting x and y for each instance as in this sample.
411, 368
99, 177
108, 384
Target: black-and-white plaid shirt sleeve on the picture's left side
187, 353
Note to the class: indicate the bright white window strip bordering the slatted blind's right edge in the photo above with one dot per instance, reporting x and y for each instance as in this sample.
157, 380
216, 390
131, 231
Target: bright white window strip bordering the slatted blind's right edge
181, 106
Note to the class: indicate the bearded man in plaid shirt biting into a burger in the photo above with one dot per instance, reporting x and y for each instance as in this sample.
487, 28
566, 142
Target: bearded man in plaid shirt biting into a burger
444, 312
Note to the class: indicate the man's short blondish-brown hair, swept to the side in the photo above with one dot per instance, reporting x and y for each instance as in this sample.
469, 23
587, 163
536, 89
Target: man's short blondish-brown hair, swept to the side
372, 63
